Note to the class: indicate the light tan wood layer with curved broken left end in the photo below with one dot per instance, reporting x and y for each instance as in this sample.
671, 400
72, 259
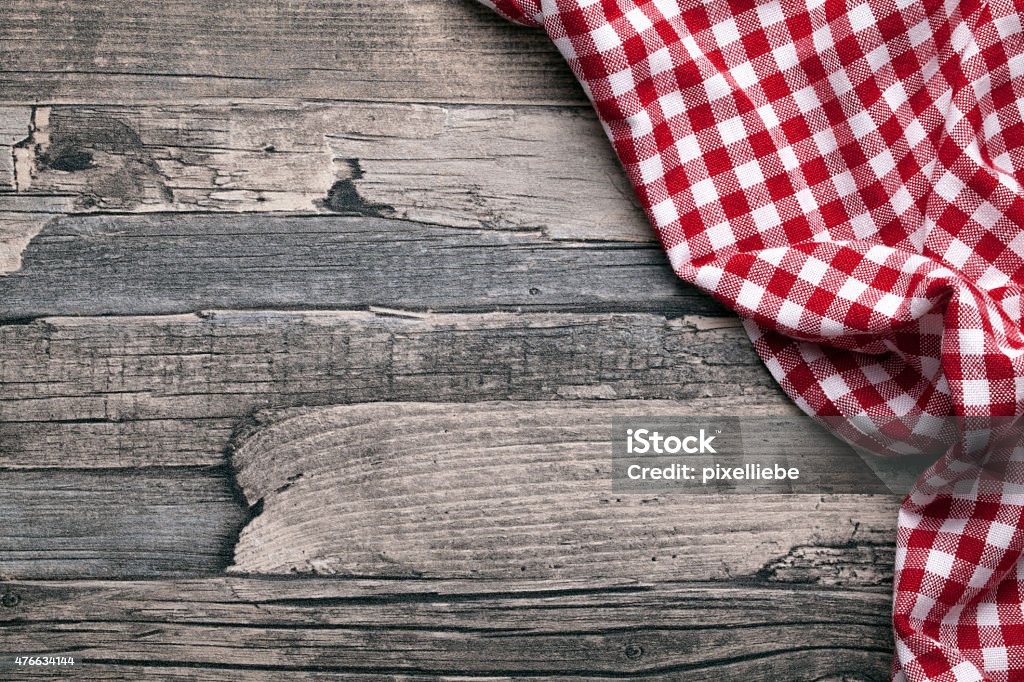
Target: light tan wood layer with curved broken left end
508, 490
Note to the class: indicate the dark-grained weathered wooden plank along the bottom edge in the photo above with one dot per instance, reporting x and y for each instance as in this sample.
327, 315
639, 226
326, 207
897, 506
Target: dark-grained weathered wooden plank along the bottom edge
452, 629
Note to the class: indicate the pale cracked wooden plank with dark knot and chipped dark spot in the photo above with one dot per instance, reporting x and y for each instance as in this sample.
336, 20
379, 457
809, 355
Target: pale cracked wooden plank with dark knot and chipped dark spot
502, 167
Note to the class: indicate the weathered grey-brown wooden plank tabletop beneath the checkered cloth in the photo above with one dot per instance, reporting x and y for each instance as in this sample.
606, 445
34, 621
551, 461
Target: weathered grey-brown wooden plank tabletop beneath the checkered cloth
218, 220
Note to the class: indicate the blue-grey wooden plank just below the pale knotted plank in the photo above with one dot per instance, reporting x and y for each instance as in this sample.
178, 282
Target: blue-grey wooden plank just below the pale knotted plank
164, 264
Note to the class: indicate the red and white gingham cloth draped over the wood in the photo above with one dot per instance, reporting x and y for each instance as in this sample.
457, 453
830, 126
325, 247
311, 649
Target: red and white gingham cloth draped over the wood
846, 175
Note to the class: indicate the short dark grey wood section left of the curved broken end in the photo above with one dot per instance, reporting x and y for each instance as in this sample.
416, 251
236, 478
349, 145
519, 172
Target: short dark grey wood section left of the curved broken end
96, 524
